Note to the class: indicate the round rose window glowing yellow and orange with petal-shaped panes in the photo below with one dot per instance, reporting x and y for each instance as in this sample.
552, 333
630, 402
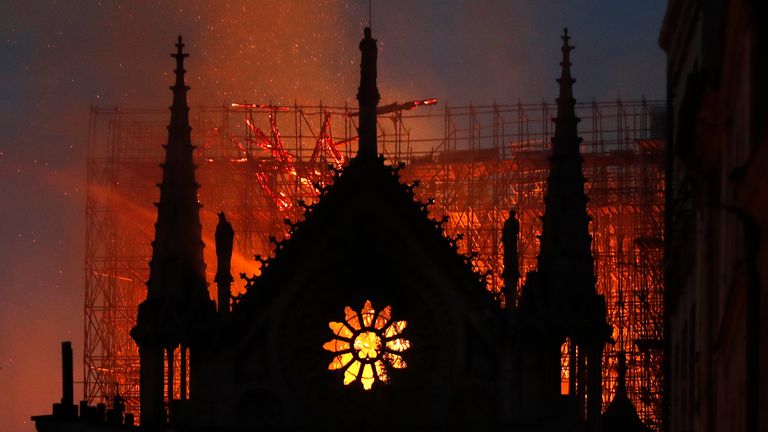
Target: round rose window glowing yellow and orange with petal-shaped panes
367, 345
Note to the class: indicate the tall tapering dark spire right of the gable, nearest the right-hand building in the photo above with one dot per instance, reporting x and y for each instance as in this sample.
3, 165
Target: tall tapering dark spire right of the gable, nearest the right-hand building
565, 258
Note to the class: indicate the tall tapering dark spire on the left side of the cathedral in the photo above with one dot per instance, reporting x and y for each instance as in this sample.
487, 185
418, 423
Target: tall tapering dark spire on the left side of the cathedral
177, 285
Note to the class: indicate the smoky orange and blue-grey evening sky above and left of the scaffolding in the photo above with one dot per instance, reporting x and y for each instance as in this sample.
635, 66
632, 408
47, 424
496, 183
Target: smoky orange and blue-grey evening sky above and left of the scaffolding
59, 58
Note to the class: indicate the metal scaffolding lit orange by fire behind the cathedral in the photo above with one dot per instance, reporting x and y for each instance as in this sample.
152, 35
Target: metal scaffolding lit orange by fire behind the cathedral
257, 162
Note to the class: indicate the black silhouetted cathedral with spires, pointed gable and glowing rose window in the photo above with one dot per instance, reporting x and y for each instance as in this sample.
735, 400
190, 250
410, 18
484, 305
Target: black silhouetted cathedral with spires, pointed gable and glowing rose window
366, 317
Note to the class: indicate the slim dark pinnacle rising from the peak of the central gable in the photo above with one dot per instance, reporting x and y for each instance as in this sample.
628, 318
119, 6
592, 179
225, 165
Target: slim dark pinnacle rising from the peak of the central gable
367, 97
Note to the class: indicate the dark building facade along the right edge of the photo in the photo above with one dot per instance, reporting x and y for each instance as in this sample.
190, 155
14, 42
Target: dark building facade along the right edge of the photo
717, 215
